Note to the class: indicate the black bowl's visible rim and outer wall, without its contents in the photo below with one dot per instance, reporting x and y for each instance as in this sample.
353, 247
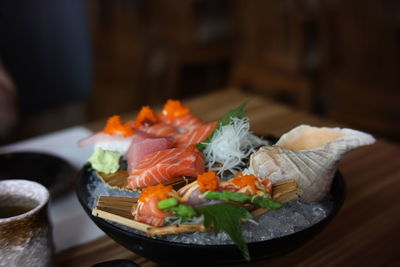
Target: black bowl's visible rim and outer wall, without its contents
189, 254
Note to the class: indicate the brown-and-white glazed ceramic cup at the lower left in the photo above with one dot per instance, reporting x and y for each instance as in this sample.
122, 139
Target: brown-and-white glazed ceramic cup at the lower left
25, 230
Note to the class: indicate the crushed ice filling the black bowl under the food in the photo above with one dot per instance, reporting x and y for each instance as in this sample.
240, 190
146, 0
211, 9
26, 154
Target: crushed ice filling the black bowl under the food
292, 217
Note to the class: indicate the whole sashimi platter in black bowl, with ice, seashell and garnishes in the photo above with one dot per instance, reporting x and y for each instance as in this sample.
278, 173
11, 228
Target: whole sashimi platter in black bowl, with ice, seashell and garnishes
170, 180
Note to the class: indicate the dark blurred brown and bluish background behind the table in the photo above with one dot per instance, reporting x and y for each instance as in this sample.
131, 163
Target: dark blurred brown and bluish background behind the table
334, 58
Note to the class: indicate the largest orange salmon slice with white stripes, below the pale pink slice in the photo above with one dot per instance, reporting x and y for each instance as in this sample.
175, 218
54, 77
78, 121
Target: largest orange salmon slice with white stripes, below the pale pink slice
165, 165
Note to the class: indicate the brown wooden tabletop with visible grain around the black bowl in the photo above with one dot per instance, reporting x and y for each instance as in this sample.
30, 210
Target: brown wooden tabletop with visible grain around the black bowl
366, 231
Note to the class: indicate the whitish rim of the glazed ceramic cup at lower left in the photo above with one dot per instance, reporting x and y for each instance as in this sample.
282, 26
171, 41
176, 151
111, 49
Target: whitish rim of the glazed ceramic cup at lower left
39, 189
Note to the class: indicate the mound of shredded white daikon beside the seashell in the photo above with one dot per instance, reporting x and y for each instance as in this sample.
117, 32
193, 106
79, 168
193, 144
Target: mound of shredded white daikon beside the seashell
231, 145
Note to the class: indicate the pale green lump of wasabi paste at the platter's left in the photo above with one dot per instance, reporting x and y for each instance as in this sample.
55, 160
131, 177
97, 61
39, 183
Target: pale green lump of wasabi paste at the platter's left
105, 161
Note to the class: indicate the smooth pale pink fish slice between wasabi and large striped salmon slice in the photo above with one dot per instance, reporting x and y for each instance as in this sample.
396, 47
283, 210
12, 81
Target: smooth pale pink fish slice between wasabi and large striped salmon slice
142, 145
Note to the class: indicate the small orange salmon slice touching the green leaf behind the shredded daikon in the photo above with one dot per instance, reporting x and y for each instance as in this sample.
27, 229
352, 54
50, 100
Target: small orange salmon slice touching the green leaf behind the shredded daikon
195, 135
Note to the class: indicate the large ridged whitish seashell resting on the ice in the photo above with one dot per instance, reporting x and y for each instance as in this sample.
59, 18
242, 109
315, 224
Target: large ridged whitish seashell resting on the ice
309, 155
